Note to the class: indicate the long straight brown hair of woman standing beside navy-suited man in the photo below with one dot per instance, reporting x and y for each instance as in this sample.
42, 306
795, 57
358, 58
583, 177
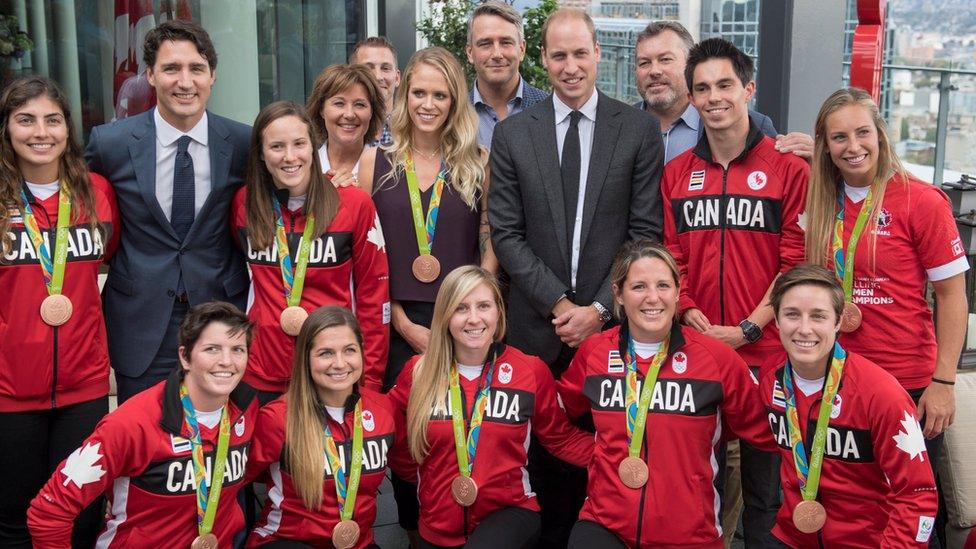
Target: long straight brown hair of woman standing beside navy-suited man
322, 201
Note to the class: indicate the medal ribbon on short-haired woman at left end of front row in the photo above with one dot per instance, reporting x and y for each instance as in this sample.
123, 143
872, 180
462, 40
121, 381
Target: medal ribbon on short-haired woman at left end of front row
207, 496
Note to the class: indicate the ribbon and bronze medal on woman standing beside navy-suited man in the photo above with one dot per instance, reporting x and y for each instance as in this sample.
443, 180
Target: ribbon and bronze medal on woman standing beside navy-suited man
293, 280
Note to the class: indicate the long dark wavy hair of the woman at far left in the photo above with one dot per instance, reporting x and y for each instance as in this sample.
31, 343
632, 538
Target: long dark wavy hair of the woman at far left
72, 169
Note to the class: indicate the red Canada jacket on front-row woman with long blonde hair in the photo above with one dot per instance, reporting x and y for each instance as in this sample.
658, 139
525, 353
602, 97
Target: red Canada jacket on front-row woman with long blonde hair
522, 394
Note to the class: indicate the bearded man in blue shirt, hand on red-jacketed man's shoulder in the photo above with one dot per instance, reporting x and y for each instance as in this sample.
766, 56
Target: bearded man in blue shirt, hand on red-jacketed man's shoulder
662, 53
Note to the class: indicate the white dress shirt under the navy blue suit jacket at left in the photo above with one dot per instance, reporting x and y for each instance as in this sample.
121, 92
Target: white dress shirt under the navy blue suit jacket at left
166, 137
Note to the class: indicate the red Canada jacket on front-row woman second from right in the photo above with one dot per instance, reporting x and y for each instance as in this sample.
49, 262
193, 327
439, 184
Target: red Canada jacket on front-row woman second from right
703, 385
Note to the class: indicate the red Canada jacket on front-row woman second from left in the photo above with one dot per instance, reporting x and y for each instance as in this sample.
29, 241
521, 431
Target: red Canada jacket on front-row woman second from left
285, 514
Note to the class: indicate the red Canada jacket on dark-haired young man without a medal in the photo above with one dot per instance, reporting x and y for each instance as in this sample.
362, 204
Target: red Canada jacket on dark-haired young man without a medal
732, 231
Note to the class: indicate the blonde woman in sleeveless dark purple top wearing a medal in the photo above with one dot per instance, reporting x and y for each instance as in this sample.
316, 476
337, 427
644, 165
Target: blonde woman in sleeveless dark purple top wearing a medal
434, 160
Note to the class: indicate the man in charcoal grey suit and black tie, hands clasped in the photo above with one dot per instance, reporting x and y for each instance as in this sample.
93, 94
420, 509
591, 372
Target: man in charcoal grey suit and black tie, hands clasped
572, 178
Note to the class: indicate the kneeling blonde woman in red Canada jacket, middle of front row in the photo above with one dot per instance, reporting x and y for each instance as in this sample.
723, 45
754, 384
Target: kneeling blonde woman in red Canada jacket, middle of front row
471, 404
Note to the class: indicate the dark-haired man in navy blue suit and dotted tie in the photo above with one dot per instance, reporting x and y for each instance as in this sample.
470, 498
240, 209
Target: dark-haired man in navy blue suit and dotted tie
174, 170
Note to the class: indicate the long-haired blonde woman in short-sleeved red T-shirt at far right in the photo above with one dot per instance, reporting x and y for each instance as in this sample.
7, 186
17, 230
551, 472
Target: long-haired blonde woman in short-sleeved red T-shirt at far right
887, 235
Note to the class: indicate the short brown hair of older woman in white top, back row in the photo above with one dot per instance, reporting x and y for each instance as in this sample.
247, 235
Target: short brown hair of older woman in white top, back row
336, 79
